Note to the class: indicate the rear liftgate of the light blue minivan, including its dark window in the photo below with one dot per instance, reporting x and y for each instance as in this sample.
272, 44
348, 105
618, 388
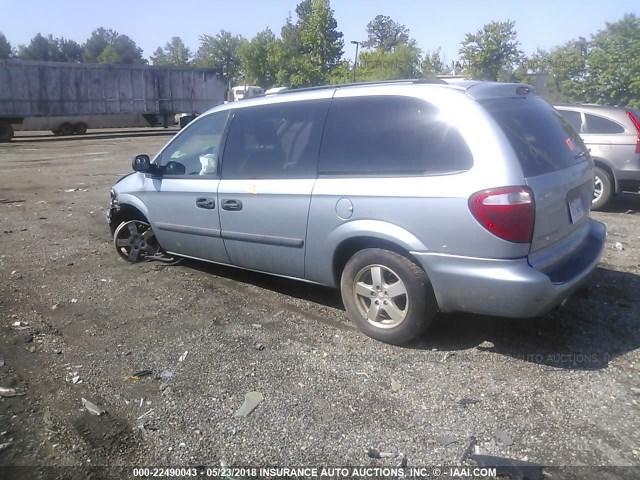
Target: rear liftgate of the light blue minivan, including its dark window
556, 166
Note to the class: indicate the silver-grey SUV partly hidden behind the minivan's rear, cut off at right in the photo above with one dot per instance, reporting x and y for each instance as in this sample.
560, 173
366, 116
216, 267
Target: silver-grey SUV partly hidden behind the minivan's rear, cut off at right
613, 136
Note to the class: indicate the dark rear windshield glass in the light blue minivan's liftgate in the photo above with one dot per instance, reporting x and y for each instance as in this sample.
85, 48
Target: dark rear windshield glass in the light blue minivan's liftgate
543, 141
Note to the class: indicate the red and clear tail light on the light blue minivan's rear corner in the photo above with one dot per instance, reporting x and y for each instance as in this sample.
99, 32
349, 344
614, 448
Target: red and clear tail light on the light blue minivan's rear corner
507, 212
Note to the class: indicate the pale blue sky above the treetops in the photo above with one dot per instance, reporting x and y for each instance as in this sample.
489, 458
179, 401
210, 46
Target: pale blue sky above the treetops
543, 23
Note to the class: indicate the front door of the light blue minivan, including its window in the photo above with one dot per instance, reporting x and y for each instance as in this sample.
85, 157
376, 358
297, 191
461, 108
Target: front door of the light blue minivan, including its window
182, 201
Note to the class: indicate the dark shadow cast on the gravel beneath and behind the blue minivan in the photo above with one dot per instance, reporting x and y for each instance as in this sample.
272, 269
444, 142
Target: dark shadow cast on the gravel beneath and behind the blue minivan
595, 326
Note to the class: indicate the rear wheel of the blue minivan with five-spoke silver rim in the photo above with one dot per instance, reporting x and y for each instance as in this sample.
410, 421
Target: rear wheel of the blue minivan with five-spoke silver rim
387, 296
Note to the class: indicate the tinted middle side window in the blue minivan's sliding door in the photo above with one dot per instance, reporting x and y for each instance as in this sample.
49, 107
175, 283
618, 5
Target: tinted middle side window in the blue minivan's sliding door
275, 141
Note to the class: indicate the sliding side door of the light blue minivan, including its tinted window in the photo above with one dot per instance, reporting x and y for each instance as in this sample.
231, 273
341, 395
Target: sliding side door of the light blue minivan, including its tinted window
268, 173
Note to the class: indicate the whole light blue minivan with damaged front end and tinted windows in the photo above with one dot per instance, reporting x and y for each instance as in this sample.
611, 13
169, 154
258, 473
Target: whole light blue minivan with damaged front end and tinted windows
412, 197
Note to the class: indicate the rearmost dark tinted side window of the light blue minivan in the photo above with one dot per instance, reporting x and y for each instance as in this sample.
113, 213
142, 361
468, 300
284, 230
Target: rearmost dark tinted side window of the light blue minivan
386, 135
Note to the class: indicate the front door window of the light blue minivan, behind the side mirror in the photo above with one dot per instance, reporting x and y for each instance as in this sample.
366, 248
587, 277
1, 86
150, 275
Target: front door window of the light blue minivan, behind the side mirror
197, 148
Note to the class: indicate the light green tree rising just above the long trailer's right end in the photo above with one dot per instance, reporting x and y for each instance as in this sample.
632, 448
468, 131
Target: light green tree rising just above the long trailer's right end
223, 51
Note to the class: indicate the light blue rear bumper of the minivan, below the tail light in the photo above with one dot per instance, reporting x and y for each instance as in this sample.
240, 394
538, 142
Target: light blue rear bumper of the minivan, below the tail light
510, 288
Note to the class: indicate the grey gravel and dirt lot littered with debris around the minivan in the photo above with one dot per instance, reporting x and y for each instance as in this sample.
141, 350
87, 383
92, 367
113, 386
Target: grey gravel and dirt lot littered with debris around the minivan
77, 322
